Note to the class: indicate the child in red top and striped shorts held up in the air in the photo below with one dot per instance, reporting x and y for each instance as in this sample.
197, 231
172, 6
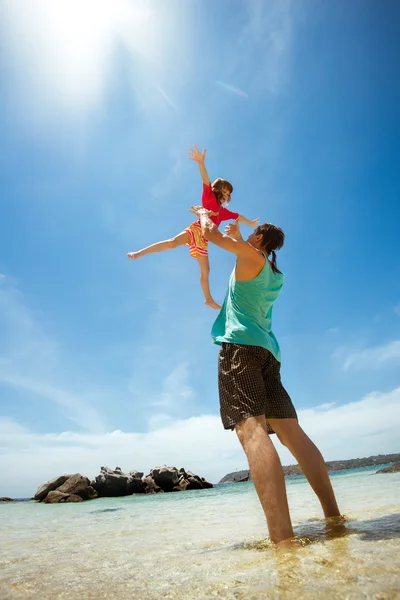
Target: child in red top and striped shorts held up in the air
214, 196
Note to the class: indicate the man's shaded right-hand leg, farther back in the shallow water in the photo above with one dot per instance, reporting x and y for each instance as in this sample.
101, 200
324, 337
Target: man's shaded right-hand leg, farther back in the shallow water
310, 459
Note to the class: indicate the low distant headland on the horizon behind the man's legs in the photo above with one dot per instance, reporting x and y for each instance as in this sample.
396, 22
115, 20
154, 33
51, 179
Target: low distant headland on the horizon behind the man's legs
332, 465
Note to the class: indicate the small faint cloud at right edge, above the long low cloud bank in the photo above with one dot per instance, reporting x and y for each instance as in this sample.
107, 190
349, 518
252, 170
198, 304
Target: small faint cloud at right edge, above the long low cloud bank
370, 358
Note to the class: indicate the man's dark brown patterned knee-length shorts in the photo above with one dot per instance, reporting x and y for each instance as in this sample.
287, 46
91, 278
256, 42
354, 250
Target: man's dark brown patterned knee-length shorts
249, 383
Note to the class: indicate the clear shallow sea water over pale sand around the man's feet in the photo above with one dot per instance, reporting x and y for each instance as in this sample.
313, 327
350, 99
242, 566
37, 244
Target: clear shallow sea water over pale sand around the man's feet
205, 544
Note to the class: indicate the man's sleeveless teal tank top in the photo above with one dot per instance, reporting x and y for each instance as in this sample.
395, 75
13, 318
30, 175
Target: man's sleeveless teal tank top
245, 317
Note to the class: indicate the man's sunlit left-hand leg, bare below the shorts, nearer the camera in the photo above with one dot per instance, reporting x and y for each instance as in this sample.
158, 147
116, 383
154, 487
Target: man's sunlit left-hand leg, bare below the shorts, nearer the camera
267, 474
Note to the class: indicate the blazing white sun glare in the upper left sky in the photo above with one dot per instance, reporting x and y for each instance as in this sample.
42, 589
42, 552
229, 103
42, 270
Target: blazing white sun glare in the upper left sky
64, 46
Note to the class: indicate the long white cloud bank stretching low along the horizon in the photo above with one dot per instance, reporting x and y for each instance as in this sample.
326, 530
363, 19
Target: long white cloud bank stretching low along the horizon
369, 426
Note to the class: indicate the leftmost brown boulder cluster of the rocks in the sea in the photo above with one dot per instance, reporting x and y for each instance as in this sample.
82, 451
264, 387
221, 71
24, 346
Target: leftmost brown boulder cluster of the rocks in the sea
66, 488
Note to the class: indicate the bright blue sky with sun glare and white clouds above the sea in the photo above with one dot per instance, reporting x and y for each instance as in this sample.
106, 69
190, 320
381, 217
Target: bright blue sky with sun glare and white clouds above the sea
108, 361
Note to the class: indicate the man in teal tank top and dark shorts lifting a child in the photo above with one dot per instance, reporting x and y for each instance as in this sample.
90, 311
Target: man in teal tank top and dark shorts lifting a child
253, 400
